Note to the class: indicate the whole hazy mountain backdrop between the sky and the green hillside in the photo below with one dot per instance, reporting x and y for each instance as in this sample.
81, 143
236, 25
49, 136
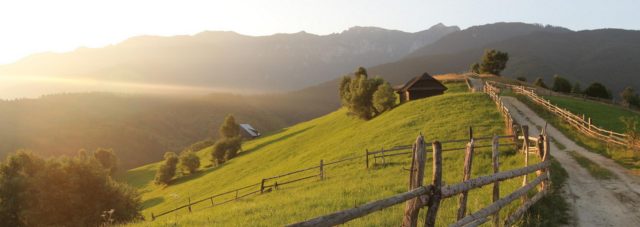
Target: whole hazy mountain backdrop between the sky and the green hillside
302, 68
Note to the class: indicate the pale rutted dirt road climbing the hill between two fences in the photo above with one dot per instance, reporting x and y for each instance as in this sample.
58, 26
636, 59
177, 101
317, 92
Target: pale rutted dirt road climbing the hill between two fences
614, 202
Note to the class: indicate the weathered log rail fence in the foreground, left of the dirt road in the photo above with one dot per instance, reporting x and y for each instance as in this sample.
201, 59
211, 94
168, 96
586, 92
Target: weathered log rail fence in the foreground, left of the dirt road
430, 196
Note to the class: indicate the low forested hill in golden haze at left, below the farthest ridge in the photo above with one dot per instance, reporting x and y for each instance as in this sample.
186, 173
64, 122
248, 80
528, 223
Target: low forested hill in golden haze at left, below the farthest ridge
140, 128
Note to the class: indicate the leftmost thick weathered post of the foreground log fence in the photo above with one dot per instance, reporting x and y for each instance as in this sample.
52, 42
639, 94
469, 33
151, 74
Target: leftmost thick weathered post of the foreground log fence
416, 177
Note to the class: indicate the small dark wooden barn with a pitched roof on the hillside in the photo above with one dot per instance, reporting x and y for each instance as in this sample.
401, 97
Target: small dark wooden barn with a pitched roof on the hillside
420, 87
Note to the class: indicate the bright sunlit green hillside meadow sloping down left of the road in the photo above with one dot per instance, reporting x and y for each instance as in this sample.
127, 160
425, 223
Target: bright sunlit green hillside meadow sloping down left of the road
333, 137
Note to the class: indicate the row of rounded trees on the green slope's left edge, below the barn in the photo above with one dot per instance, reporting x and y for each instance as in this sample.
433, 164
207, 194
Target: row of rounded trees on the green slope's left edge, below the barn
224, 149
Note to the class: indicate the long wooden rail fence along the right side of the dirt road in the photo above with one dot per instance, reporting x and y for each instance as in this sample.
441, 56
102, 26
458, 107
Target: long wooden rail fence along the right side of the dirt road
580, 122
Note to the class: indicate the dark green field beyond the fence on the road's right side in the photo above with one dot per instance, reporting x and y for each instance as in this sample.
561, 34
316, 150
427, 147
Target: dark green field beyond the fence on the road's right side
602, 115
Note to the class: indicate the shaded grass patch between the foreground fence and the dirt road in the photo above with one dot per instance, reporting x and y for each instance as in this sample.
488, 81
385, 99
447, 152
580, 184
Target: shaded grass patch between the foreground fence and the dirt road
553, 209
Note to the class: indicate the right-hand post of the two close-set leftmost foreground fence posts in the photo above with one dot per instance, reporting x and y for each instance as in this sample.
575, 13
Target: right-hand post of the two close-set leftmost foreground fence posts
434, 200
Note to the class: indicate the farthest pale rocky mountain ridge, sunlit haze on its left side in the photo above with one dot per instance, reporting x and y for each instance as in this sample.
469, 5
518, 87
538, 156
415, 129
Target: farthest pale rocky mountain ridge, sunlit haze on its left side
280, 62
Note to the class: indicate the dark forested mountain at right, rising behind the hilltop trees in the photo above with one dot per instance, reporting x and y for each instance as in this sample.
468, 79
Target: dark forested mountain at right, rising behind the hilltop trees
610, 56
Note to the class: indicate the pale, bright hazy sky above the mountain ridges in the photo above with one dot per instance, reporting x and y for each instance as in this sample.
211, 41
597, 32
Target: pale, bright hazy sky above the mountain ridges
28, 26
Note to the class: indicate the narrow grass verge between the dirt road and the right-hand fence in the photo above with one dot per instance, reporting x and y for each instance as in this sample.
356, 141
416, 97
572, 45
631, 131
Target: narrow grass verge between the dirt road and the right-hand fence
620, 154
